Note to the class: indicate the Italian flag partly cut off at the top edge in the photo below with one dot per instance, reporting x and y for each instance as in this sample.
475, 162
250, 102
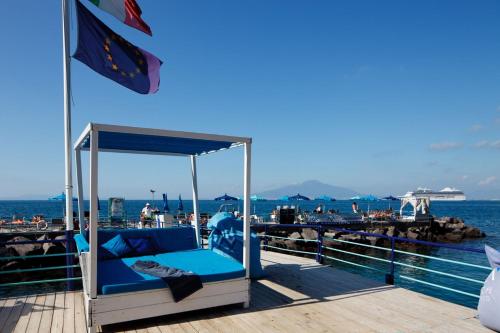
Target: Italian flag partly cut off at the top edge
127, 11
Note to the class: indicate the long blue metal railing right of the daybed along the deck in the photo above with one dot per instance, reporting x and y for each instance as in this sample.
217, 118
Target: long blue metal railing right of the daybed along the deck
390, 259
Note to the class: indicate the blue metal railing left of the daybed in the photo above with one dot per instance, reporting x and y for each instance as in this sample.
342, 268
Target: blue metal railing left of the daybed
70, 262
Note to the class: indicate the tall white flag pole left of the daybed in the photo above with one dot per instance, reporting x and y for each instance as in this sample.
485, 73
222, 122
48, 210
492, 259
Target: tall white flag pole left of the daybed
68, 179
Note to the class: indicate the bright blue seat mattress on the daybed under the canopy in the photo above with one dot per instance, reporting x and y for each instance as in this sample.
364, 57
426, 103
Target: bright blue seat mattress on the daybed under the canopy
116, 276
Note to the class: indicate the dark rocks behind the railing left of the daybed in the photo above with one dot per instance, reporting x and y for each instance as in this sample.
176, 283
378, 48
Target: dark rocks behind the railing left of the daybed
17, 257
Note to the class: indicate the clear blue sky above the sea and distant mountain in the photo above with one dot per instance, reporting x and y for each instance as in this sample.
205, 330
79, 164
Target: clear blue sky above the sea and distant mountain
377, 96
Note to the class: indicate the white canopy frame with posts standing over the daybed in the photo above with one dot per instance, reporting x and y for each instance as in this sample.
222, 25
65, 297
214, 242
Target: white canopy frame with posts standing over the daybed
91, 134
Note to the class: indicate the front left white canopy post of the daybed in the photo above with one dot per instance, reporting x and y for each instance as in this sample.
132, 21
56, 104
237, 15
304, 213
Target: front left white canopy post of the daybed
94, 144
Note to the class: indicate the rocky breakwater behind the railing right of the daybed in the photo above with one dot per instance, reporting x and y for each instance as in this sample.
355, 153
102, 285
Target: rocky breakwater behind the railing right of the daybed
442, 230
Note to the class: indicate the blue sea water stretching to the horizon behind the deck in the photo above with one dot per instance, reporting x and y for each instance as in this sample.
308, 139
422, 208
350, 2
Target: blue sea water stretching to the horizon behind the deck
484, 215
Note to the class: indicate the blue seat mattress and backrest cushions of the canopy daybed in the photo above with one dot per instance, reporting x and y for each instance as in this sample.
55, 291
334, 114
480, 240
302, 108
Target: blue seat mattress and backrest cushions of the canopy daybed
176, 247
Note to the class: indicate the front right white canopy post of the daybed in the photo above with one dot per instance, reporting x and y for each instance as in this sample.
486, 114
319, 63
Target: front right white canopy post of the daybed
246, 208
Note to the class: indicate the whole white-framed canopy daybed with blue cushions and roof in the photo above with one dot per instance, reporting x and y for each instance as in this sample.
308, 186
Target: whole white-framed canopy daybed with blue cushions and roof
113, 292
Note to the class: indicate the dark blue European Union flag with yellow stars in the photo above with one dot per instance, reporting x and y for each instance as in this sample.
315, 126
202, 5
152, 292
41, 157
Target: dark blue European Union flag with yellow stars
110, 55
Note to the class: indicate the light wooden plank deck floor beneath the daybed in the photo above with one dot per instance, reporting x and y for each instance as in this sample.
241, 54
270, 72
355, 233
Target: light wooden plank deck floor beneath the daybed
298, 296
